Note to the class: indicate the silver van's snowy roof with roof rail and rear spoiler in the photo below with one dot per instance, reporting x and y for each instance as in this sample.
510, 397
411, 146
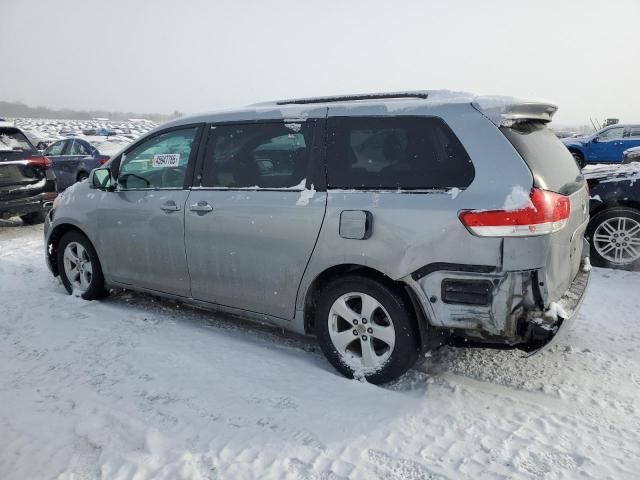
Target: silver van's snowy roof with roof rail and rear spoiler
501, 110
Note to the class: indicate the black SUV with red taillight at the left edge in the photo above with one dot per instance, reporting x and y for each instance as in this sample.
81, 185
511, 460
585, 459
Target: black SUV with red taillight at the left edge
27, 181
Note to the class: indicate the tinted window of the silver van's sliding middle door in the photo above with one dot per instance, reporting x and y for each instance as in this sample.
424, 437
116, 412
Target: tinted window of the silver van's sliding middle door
259, 155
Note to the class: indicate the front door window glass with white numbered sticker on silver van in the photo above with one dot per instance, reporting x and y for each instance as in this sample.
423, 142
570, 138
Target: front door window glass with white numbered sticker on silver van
159, 162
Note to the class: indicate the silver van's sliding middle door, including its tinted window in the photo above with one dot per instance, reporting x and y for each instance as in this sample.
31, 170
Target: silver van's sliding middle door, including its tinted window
253, 223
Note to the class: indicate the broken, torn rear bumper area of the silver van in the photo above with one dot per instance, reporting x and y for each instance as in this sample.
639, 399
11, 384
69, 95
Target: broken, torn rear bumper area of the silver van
497, 309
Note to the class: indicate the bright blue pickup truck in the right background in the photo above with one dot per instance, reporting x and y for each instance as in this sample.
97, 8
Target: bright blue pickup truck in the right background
604, 146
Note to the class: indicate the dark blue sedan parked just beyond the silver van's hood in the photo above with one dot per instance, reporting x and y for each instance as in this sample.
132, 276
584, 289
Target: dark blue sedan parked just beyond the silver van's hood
73, 159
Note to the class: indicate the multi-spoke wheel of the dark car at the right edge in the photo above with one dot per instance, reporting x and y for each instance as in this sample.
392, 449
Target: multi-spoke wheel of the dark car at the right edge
605, 245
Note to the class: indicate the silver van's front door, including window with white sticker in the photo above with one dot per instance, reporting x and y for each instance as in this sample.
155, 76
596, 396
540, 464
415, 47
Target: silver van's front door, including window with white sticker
141, 223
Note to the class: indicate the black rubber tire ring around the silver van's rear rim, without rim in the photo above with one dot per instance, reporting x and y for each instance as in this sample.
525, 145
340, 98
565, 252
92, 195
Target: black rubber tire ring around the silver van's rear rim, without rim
399, 308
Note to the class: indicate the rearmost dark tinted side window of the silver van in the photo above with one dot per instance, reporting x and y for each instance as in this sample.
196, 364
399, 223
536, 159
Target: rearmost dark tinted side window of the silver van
395, 153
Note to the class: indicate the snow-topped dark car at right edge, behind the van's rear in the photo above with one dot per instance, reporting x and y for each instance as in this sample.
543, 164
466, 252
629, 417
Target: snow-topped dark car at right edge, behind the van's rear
614, 228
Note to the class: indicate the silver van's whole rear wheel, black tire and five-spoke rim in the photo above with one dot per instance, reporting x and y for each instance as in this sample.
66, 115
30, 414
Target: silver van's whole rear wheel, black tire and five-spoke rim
344, 349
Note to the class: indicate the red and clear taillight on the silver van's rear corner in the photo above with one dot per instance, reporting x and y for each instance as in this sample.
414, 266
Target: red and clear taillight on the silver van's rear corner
547, 212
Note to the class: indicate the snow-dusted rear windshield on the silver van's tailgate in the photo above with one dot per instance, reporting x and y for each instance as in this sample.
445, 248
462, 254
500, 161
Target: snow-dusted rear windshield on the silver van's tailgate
551, 164
